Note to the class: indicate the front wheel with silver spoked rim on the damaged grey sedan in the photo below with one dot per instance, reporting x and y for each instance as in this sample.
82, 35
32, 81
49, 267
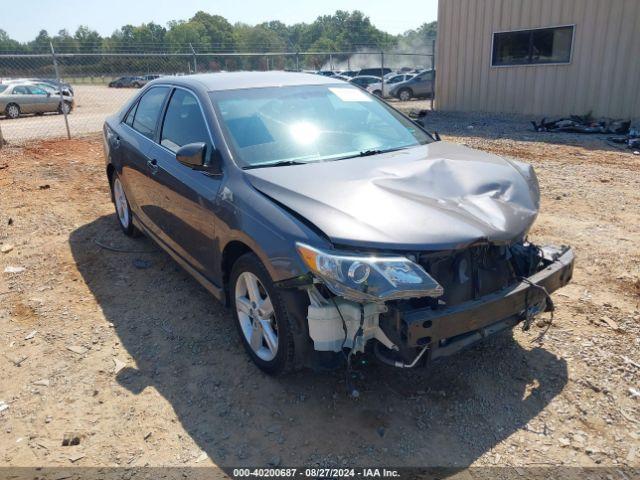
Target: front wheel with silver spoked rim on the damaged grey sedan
261, 316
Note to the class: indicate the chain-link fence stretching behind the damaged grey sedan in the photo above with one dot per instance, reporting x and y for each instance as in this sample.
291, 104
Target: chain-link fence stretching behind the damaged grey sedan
70, 95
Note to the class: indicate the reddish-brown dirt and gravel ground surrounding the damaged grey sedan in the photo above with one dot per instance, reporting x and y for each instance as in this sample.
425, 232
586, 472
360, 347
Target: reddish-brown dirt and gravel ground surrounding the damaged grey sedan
126, 353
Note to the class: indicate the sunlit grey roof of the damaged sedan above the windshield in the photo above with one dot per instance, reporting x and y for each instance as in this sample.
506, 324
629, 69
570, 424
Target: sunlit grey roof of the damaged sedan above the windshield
241, 80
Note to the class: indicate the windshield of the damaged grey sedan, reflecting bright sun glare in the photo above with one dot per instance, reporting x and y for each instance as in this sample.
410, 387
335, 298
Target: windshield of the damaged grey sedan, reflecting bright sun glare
310, 123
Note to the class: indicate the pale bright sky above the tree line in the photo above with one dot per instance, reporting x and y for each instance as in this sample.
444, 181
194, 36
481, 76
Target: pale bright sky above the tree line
23, 24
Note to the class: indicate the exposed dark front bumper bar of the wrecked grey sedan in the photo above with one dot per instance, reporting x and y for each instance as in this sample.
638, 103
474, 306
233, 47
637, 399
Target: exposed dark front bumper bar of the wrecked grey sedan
450, 329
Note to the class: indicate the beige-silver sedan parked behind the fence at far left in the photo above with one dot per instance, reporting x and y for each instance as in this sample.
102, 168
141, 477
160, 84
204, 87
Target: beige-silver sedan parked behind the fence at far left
22, 98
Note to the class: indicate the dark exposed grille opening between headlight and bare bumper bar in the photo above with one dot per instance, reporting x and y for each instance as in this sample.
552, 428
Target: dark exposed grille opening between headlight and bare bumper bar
470, 273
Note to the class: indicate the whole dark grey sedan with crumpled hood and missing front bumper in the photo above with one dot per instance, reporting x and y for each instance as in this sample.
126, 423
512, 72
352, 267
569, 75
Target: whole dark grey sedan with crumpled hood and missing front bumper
329, 222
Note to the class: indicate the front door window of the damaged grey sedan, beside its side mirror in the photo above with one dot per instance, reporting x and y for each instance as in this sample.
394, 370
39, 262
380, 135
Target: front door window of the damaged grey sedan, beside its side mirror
183, 122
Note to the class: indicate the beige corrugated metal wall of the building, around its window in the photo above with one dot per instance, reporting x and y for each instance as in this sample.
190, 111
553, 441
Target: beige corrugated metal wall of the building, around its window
603, 76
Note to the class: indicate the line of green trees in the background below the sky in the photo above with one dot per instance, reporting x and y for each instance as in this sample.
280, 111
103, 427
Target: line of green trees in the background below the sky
206, 33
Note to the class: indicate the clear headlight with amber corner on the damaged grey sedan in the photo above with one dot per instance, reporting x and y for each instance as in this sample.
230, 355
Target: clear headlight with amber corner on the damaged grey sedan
369, 278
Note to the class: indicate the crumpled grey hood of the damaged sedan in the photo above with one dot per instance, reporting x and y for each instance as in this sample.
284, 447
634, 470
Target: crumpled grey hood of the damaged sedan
432, 197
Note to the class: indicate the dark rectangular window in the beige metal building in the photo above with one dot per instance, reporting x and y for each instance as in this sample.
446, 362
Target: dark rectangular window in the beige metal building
532, 47
